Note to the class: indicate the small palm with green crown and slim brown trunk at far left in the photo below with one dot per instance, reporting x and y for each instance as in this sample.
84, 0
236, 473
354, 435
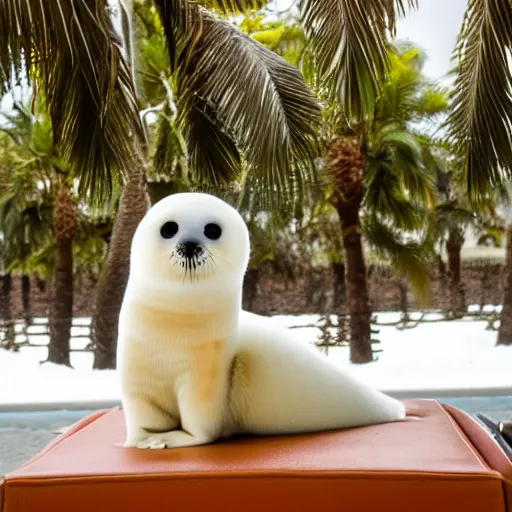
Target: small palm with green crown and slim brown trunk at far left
39, 172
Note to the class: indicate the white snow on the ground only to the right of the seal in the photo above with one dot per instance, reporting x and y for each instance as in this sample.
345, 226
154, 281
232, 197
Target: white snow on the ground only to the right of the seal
435, 356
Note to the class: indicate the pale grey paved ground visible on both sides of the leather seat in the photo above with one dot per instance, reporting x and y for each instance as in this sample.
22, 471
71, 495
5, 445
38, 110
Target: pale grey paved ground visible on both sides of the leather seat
23, 434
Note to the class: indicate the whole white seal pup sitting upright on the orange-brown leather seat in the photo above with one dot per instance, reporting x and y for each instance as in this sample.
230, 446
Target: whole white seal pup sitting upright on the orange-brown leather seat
193, 366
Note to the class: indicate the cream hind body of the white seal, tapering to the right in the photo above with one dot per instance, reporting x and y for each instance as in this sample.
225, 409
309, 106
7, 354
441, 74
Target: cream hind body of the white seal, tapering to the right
283, 385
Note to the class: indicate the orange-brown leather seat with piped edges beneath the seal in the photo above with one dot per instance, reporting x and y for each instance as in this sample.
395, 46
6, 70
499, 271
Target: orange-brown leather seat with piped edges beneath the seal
442, 462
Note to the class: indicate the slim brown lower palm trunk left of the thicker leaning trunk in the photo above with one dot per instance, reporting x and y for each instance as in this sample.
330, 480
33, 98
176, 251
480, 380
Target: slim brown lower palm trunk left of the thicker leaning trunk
61, 313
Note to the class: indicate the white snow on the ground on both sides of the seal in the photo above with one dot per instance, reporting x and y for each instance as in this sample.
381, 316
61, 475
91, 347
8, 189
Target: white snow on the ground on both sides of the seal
431, 357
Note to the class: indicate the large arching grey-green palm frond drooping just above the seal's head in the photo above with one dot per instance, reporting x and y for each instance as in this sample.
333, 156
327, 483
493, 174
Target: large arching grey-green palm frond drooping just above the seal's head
263, 108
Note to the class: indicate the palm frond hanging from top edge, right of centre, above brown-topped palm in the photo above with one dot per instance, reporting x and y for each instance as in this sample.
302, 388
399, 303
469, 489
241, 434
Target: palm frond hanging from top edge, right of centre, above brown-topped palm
349, 41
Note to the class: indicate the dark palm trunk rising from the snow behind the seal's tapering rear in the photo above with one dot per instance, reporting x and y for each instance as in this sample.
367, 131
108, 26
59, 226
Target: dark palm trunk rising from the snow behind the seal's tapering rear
356, 285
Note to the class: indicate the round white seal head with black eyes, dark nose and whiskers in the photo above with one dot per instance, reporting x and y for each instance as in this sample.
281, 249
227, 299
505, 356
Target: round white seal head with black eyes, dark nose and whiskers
190, 244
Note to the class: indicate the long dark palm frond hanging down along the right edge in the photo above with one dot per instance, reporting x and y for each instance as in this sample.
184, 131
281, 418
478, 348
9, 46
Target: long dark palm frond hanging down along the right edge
481, 106
